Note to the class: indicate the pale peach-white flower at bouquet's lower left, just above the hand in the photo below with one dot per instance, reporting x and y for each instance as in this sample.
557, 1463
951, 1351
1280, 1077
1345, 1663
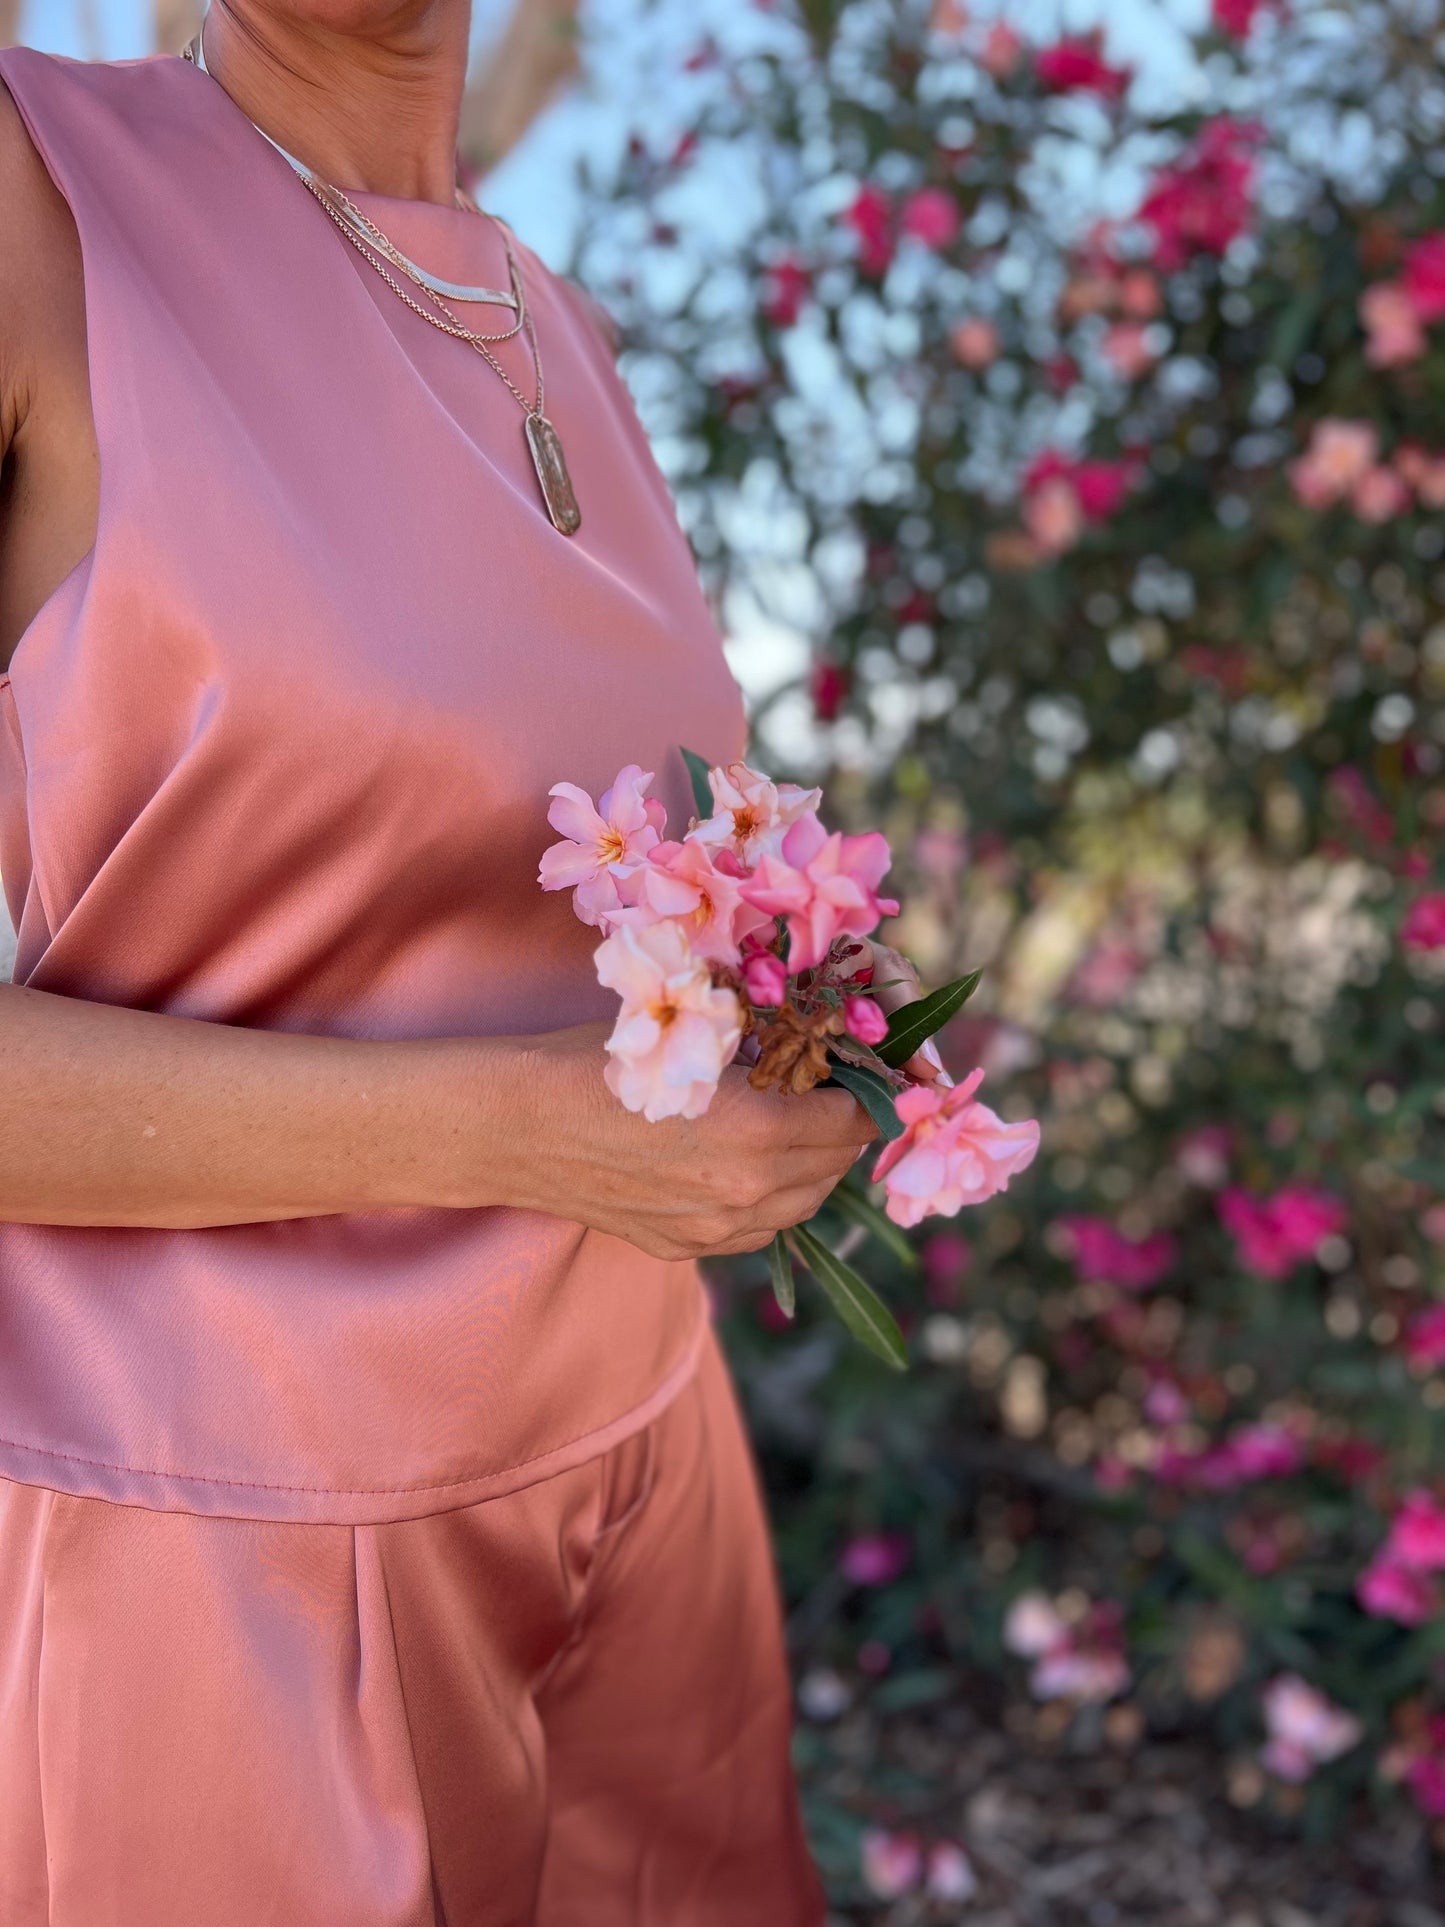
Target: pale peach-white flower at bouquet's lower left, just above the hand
675, 1034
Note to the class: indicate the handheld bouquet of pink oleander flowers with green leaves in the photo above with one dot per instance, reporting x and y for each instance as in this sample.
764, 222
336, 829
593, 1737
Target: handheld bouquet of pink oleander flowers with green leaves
747, 937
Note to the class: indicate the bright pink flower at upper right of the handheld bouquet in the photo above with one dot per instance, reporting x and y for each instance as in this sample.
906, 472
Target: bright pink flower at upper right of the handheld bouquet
826, 885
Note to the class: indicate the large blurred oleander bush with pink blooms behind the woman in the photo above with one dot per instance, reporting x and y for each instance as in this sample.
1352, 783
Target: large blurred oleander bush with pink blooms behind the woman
1095, 444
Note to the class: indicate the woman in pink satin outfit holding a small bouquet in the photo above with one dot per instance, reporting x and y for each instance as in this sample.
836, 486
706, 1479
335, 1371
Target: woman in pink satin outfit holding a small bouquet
377, 1537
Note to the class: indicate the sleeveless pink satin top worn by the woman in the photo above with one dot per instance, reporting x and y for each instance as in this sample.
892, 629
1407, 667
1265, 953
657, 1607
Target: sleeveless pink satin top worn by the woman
276, 754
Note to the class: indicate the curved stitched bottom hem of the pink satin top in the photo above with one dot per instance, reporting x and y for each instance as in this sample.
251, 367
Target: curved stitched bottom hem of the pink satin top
209, 1496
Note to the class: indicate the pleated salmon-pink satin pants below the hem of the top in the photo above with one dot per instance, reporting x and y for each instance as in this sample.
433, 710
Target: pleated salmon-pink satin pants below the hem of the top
564, 1708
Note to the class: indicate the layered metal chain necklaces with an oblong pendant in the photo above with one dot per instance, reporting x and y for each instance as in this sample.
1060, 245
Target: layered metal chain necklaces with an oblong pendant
544, 442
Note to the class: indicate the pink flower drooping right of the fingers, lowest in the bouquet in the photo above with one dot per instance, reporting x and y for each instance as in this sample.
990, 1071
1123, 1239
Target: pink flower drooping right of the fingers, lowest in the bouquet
953, 1153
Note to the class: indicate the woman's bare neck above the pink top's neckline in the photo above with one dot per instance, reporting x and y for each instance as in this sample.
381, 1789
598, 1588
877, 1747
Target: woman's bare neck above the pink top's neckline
373, 109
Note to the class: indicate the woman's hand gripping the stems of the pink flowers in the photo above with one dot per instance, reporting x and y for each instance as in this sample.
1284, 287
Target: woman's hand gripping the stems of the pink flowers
685, 1188
